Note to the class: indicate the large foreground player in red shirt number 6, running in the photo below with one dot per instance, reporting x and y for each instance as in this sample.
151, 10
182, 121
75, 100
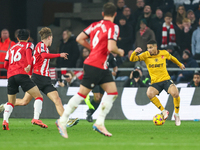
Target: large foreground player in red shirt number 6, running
103, 36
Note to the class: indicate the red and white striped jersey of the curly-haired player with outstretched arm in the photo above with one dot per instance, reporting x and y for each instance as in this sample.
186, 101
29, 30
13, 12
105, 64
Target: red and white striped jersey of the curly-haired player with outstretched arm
40, 65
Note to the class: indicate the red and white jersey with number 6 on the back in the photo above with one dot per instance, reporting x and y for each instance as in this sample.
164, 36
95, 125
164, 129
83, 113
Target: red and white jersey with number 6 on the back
99, 33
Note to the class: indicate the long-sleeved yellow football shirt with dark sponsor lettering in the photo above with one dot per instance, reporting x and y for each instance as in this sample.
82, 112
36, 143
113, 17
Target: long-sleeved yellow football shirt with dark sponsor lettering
156, 64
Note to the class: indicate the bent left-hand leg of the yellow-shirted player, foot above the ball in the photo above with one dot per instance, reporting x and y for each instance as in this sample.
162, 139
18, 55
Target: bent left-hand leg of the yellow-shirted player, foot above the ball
152, 91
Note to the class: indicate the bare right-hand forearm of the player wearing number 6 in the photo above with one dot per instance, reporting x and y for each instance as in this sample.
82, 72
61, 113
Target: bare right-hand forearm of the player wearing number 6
112, 47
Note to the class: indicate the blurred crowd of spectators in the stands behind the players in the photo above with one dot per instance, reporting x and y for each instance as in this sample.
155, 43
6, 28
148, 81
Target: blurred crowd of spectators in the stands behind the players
174, 24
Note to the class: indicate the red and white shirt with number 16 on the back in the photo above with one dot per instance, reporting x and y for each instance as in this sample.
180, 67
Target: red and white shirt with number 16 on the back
16, 56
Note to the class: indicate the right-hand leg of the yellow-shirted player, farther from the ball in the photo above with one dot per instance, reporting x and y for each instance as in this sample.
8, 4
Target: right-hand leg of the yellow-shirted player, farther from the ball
176, 98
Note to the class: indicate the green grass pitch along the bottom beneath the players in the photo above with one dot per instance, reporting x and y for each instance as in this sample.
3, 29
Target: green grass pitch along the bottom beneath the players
127, 135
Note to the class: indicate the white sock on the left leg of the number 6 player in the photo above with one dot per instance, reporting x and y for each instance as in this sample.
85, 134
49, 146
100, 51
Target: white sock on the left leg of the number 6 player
71, 106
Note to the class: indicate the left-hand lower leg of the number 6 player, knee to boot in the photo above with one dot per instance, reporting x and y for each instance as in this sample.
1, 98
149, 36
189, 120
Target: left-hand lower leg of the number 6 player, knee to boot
71, 106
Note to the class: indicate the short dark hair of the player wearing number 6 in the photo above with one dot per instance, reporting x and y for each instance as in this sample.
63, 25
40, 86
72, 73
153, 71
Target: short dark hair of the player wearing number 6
109, 9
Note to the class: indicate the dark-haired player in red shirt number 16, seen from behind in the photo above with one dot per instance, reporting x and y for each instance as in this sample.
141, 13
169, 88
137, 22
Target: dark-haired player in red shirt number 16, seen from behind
18, 63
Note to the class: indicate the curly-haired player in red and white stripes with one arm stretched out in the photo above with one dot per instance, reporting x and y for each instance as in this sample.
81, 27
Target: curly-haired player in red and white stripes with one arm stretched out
41, 78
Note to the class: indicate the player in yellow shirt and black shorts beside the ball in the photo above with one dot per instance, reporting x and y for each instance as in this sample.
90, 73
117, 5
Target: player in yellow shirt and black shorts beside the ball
155, 61
